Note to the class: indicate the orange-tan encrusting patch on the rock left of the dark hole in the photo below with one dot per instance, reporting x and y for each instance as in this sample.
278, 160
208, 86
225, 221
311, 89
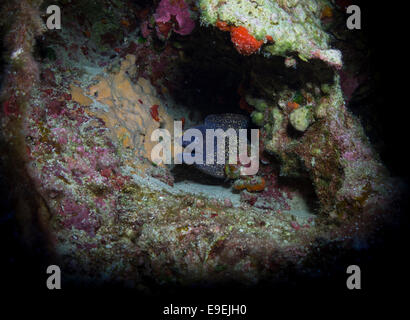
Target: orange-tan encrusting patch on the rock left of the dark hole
130, 115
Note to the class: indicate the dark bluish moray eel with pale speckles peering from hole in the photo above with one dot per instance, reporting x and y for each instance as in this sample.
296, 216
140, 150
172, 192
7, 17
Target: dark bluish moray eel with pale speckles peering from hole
217, 121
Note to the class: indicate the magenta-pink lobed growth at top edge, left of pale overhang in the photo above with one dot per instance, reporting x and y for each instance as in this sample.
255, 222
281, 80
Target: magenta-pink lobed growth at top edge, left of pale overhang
173, 15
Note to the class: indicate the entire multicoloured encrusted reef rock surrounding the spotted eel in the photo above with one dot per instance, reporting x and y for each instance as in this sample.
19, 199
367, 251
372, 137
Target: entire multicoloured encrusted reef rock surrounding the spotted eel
77, 119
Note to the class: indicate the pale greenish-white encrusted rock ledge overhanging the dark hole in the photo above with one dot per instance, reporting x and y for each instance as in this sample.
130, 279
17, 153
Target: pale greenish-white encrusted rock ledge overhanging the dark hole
294, 26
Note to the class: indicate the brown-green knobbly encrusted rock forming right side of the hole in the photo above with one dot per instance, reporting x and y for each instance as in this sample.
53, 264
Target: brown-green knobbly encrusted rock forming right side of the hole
333, 150
